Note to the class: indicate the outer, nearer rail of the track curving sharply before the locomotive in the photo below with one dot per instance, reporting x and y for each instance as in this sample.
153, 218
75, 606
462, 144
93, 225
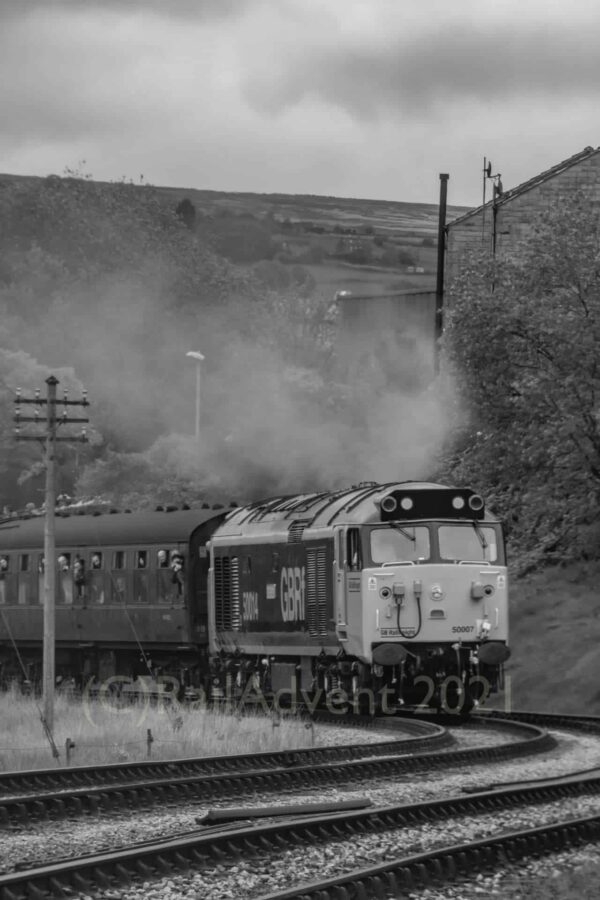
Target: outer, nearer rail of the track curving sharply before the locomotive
284, 771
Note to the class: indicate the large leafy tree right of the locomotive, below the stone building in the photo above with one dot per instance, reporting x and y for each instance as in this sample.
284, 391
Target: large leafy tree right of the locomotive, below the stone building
521, 339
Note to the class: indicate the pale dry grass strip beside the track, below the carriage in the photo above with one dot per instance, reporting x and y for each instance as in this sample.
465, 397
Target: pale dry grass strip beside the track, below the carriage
104, 732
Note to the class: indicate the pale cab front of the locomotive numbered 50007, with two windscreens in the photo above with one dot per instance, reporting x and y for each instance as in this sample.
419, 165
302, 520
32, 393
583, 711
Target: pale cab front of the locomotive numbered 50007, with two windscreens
431, 626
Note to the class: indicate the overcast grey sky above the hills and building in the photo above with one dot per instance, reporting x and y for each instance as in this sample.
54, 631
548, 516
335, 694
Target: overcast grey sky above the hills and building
354, 98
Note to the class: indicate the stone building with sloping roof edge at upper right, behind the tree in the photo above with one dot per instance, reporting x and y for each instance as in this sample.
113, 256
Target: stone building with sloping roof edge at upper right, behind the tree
503, 223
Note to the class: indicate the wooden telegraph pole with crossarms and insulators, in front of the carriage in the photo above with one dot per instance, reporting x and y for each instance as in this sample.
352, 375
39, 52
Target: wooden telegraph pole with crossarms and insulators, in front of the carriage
49, 438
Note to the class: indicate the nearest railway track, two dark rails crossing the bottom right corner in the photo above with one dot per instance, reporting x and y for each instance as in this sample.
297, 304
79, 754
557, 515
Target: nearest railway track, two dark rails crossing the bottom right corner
227, 842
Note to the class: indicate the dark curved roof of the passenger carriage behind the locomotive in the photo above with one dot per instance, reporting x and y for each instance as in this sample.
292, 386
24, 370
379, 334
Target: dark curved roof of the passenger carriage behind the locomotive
108, 529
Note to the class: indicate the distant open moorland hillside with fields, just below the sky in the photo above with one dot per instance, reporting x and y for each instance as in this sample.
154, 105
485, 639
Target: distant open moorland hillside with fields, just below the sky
359, 245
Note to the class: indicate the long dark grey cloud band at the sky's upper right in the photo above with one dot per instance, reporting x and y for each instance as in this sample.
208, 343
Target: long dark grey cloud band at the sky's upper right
412, 72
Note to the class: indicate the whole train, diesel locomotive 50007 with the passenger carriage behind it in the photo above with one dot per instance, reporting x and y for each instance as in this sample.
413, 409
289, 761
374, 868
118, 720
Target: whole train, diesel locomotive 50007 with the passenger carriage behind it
380, 594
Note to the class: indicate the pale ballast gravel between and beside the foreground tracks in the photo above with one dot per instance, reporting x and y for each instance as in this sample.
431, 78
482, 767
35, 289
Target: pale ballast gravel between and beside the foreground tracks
255, 877
